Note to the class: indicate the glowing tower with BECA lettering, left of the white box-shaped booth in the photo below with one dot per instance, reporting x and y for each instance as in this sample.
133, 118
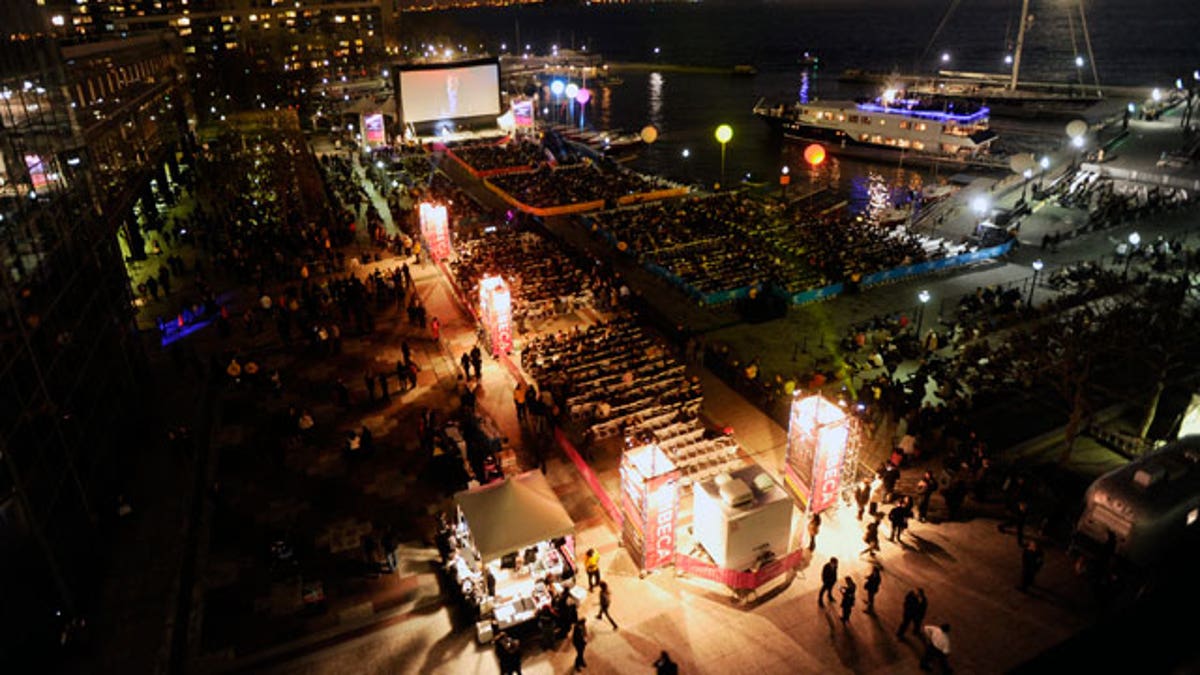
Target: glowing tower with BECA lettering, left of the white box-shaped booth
650, 501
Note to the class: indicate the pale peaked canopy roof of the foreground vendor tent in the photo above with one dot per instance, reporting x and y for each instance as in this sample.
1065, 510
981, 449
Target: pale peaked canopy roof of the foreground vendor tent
513, 515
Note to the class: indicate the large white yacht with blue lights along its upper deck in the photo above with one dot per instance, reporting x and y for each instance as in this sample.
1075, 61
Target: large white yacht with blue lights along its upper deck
890, 128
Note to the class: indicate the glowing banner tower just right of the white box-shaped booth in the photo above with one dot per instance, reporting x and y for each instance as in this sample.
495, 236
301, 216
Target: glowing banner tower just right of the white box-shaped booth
821, 452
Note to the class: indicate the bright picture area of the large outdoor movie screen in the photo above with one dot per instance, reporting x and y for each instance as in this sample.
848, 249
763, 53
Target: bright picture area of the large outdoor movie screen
453, 93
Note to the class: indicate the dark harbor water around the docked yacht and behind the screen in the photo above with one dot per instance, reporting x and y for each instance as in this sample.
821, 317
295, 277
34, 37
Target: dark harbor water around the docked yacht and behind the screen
1137, 43
